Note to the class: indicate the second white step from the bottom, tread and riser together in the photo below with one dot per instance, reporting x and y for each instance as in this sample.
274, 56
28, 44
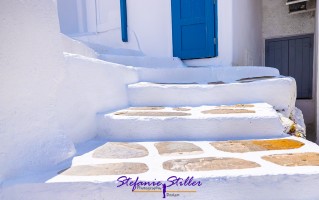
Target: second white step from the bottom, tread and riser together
145, 124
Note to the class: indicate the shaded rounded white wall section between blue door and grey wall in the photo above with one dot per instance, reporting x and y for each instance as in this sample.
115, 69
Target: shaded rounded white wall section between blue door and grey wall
247, 26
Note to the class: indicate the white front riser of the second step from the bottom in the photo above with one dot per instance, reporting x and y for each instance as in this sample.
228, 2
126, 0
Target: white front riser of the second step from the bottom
188, 129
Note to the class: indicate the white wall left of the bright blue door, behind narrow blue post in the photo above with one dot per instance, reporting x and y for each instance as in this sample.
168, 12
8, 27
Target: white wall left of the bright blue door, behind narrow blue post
149, 30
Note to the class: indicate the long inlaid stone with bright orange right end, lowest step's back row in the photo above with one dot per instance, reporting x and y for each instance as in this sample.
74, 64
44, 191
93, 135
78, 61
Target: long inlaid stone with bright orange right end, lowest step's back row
257, 145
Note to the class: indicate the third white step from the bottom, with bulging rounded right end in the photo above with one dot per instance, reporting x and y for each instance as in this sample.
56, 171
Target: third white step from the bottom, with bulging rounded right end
278, 92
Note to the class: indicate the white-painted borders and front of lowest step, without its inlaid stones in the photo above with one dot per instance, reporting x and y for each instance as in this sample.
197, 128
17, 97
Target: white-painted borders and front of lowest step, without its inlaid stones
270, 181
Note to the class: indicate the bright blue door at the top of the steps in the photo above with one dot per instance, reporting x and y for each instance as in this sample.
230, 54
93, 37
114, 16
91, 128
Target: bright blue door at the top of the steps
194, 28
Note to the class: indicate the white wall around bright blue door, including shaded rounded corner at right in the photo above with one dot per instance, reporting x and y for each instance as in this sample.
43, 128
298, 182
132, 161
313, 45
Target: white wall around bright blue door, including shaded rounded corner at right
150, 31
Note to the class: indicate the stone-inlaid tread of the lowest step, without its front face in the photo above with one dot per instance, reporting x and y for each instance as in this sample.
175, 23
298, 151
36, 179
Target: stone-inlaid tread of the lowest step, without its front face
117, 158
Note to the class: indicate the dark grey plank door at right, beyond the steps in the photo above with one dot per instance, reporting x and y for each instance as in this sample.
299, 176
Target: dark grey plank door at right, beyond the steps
293, 56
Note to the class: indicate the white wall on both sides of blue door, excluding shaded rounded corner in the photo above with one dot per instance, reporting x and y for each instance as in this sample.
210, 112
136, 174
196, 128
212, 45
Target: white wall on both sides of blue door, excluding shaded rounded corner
150, 29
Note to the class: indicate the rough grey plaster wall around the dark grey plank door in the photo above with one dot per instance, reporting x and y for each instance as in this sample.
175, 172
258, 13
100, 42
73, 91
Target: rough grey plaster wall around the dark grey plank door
278, 23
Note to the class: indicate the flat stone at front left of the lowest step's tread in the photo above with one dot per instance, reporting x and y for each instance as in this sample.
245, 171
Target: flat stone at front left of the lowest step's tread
106, 169
